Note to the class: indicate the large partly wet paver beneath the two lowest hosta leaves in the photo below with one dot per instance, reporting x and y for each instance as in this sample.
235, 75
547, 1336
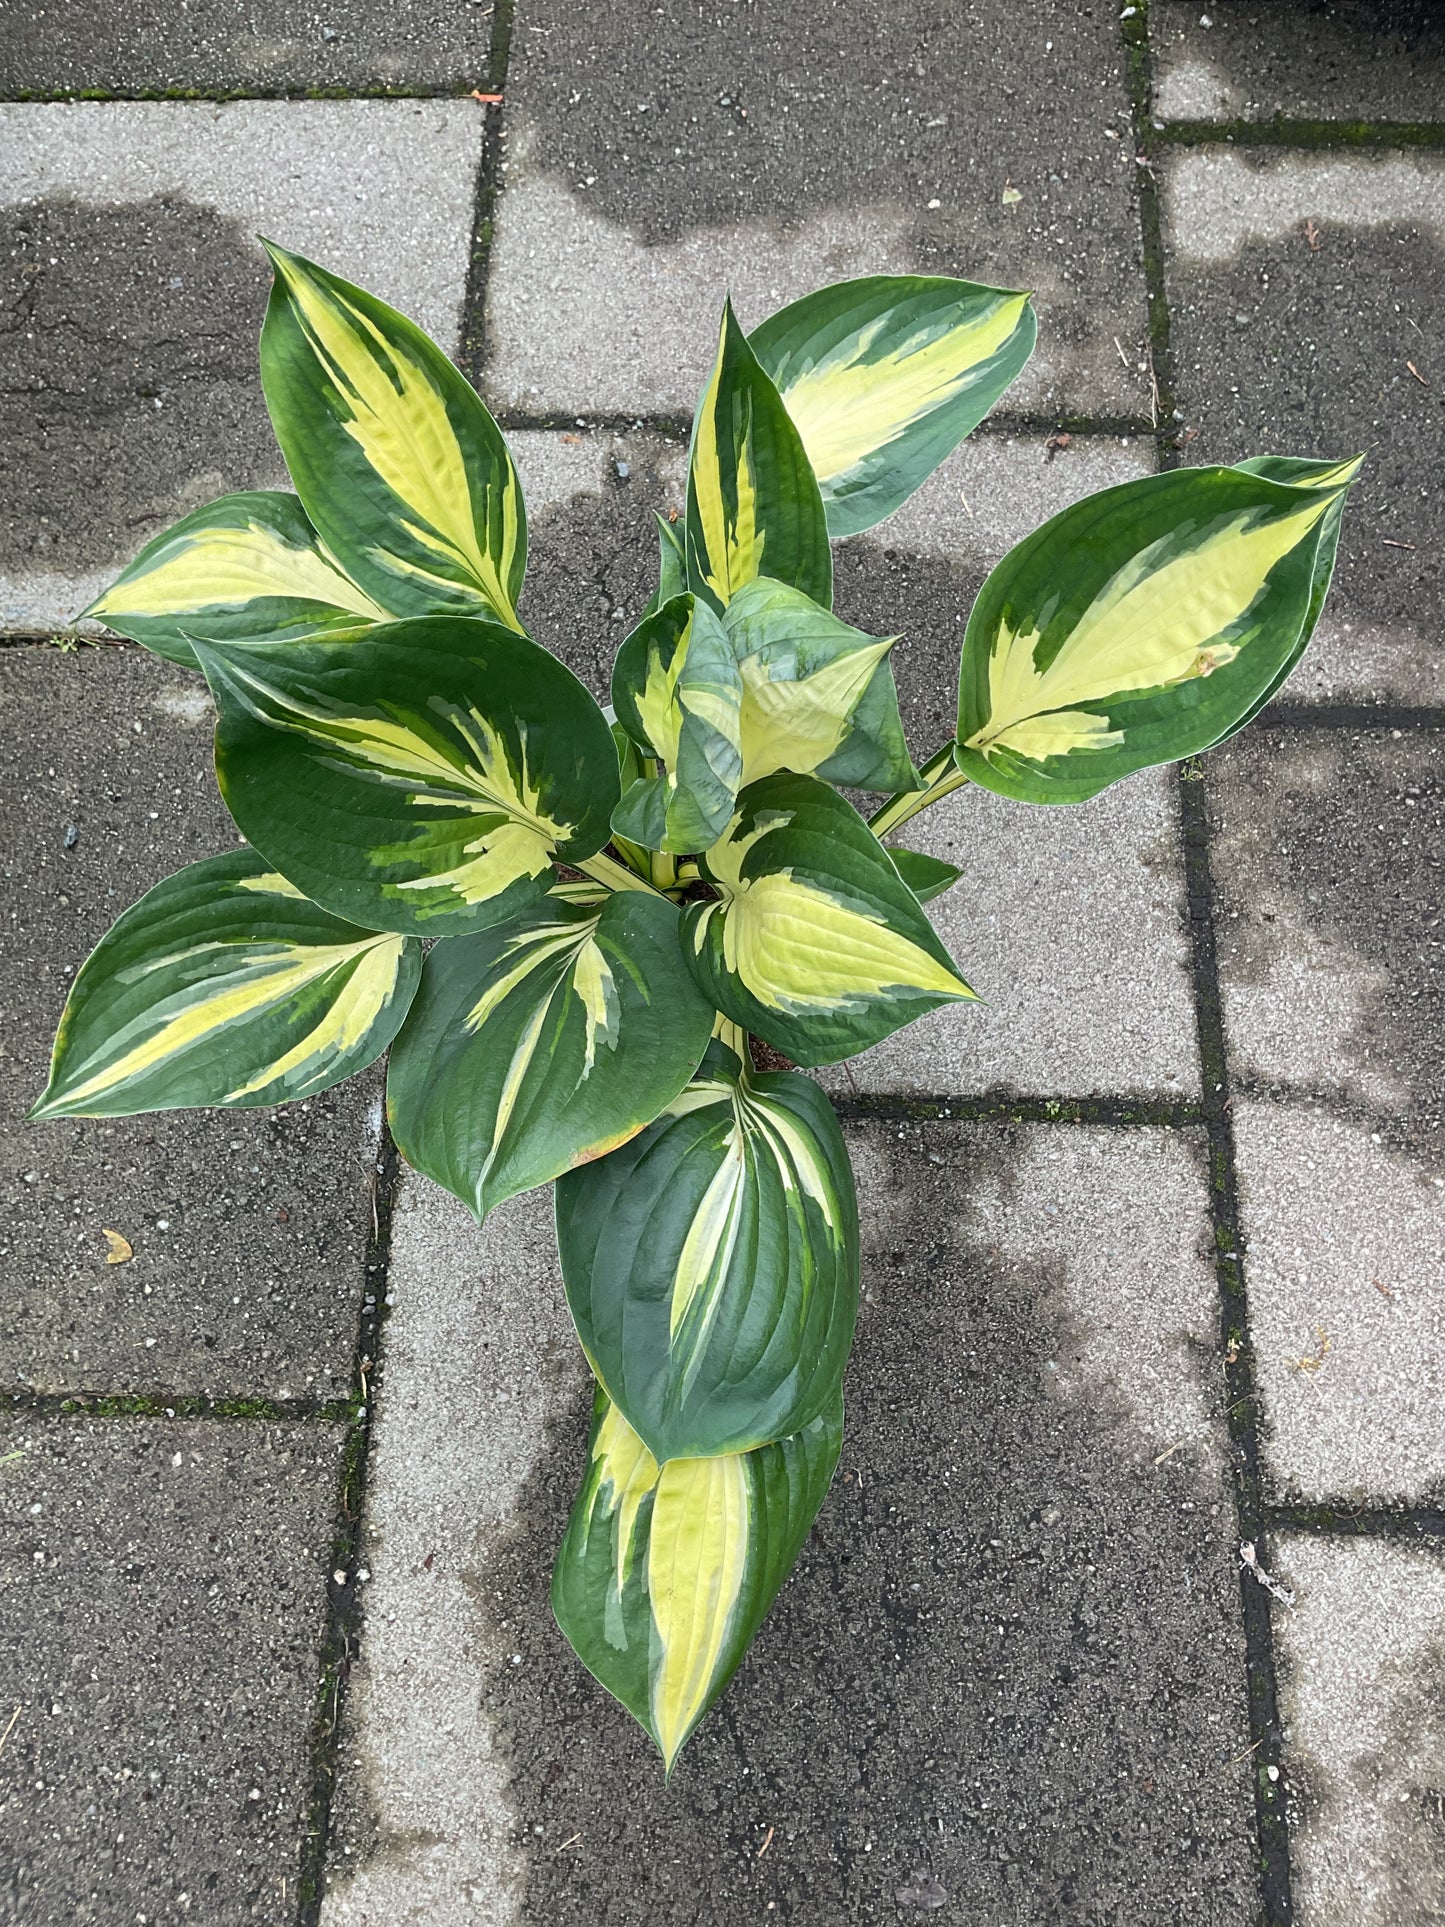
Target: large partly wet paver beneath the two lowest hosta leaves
1009, 1662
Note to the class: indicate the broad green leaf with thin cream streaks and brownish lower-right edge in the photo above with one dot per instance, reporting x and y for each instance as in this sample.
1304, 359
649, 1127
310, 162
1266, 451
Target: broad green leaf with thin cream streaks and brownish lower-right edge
544, 1042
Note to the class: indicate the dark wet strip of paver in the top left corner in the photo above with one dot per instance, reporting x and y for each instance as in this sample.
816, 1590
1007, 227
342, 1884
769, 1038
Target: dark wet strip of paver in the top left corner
207, 47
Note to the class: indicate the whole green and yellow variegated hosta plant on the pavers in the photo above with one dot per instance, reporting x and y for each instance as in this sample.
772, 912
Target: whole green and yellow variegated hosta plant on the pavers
617, 905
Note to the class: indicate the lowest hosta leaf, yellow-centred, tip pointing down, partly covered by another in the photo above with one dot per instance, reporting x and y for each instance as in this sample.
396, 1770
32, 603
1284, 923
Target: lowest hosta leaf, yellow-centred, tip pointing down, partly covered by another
666, 1575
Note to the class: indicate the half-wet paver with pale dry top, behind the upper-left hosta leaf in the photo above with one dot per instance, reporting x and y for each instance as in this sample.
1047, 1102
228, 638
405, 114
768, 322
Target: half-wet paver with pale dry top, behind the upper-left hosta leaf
134, 292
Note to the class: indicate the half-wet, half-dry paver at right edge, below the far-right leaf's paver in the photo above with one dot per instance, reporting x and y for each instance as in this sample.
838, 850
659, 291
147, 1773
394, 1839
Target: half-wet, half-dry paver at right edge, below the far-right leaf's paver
1328, 872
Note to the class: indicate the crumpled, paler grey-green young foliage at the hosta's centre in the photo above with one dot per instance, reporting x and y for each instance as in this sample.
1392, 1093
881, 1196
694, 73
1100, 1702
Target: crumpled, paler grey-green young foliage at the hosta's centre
777, 683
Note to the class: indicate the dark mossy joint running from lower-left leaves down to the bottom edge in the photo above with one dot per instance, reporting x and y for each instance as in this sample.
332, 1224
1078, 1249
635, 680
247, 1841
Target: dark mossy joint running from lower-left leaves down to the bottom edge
344, 1587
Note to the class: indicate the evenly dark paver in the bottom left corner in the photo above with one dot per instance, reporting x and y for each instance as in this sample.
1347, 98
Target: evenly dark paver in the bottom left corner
163, 1597
